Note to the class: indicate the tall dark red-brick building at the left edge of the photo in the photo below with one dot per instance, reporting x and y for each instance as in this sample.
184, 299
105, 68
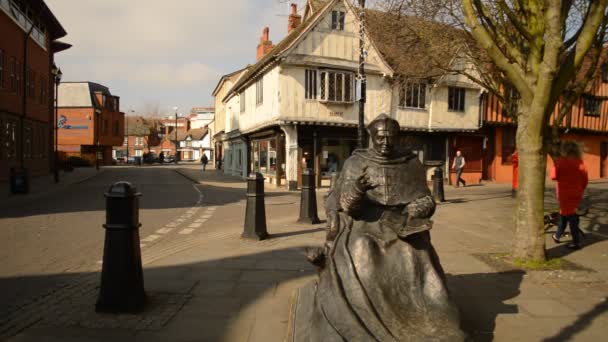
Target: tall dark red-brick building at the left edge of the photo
26, 85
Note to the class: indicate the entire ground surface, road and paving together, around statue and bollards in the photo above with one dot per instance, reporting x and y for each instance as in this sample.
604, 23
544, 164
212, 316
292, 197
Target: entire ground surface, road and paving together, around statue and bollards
205, 283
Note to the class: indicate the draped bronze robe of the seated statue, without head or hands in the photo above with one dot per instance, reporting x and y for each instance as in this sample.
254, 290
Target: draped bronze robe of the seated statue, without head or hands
382, 280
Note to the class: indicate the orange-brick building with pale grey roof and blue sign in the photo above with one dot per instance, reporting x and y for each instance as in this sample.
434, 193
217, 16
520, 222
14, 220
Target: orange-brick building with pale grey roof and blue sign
89, 121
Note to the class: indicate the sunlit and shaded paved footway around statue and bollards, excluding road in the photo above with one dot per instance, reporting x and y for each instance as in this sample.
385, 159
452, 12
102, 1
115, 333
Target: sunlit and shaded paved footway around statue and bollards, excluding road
210, 285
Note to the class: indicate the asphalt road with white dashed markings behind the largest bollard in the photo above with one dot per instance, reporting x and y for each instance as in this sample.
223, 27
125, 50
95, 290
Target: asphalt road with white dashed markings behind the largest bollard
55, 237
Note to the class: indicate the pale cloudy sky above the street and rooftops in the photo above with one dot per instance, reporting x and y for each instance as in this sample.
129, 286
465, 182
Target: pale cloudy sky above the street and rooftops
164, 54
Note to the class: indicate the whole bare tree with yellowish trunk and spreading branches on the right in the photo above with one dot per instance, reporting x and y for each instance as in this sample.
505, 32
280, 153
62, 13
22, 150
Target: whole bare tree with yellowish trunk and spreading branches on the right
537, 50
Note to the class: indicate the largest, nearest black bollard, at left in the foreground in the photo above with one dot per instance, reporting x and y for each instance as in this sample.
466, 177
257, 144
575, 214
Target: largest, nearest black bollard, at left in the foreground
122, 283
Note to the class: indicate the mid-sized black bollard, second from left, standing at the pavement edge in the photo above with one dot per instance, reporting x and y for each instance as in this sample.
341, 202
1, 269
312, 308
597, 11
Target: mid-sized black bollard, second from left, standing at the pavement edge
255, 214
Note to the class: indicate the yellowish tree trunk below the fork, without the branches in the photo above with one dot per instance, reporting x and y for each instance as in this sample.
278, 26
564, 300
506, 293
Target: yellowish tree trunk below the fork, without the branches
529, 242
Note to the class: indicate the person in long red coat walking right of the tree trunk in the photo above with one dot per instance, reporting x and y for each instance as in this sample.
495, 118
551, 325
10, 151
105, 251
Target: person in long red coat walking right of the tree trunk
571, 176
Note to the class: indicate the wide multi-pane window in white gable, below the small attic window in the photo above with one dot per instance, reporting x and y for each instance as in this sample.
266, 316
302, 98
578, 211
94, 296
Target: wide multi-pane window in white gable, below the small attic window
347, 86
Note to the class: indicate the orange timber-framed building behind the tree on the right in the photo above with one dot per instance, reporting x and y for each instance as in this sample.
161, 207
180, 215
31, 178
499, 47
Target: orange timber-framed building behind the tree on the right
489, 150
